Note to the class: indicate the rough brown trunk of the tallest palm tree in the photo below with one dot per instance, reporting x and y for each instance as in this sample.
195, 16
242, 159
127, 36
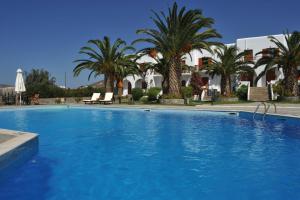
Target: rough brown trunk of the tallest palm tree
174, 88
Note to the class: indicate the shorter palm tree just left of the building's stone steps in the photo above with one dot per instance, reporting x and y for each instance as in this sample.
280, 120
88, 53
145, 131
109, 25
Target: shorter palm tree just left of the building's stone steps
228, 63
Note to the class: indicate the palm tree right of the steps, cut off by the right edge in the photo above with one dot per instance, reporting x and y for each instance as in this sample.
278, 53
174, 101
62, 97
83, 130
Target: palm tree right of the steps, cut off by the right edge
287, 58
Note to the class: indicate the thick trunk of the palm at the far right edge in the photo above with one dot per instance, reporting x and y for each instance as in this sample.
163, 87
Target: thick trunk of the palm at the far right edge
291, 81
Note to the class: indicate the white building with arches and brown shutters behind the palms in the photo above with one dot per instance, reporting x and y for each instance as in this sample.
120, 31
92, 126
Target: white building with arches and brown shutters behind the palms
252, 45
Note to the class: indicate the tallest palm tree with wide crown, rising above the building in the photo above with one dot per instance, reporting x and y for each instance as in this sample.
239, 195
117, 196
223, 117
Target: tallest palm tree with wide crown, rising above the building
177, 33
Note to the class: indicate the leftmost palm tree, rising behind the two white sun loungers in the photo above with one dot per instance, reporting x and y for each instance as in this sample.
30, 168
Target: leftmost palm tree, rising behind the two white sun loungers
105, 59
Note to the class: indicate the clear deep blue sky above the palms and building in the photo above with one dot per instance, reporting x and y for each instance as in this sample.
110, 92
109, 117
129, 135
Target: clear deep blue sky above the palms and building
48, 33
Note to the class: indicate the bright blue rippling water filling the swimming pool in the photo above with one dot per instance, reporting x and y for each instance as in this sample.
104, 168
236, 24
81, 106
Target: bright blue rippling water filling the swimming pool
133, 154
